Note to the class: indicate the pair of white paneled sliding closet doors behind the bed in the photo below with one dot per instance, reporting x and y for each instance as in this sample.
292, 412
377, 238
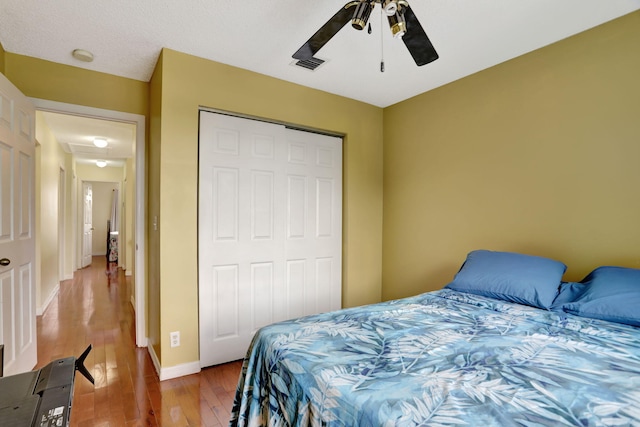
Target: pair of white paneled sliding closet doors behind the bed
270, 229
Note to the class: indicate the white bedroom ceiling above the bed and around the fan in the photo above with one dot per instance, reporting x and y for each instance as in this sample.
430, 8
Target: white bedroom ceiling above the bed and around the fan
126, 38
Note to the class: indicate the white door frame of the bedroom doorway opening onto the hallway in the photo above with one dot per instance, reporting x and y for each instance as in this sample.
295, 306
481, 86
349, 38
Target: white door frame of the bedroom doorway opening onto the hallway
140, 211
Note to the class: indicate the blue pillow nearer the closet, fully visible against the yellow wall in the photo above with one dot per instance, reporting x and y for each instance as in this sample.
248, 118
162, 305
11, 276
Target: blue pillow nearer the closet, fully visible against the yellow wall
519, 278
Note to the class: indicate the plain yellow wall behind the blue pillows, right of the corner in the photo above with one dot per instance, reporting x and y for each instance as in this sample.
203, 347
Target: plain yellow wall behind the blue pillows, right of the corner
540, 155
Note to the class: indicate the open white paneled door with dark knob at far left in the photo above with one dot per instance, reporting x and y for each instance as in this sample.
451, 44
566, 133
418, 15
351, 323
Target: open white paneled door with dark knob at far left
17, 230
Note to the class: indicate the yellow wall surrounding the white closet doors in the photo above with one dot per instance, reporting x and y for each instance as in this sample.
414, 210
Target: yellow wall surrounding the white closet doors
189, 82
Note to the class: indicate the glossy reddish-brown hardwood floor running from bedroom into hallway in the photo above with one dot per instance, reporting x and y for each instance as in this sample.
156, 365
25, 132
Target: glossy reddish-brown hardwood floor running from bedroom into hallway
94, 308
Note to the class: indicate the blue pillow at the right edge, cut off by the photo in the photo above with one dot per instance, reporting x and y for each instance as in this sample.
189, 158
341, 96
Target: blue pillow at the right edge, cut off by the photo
612, 293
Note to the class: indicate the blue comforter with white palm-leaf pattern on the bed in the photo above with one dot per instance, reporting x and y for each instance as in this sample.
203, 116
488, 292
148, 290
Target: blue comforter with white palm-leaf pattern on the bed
443, 358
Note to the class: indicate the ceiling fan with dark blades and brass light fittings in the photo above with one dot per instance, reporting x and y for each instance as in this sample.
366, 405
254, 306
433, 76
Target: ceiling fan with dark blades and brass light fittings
402, 22
